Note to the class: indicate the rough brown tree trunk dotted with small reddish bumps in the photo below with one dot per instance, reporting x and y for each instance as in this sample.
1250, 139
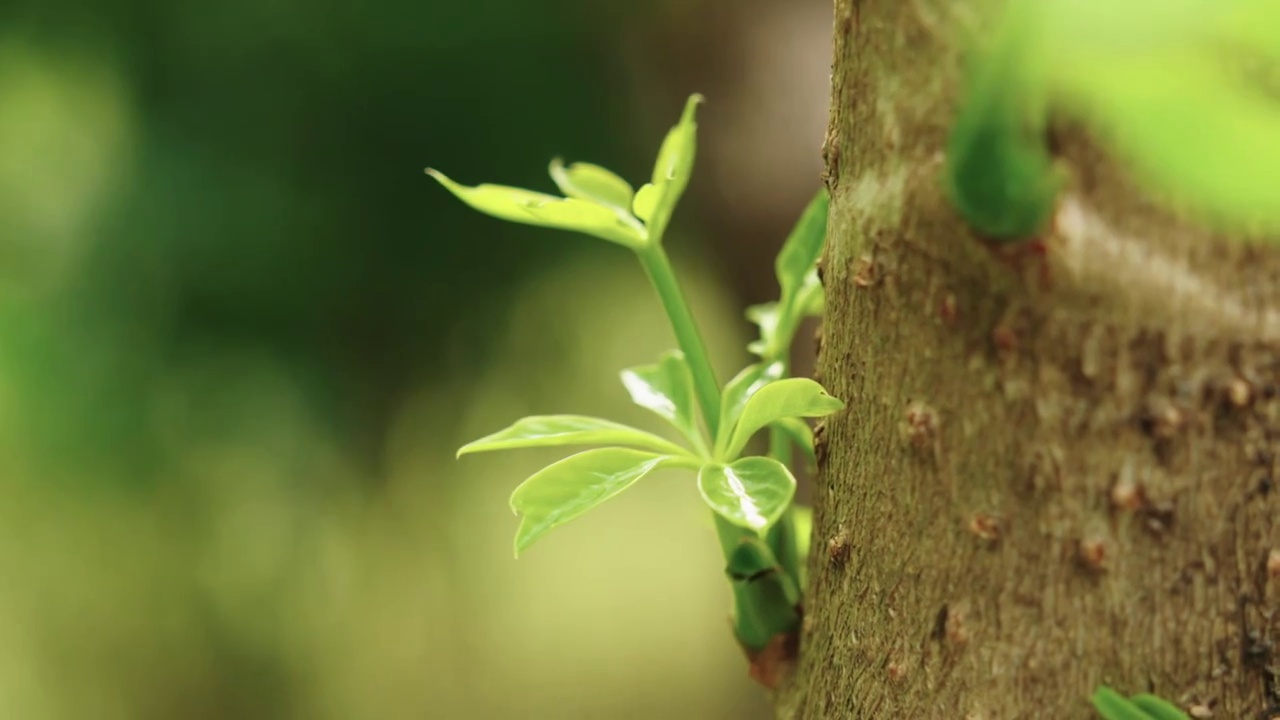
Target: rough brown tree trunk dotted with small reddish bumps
1052, 475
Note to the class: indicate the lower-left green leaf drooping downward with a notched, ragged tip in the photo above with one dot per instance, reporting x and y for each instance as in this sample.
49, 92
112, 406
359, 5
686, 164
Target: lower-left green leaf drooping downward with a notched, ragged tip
569, 489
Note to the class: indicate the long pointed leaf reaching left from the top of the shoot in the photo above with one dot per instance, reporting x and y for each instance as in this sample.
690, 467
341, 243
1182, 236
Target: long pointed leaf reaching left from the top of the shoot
547, 211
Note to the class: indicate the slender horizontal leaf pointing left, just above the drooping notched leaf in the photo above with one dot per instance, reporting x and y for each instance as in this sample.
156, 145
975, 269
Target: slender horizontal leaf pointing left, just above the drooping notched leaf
555, 431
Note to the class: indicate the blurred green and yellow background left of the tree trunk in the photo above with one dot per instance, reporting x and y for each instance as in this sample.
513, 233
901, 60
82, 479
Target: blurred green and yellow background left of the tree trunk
241, 335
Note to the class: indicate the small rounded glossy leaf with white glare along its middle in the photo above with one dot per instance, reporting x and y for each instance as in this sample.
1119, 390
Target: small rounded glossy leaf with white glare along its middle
752, 493
